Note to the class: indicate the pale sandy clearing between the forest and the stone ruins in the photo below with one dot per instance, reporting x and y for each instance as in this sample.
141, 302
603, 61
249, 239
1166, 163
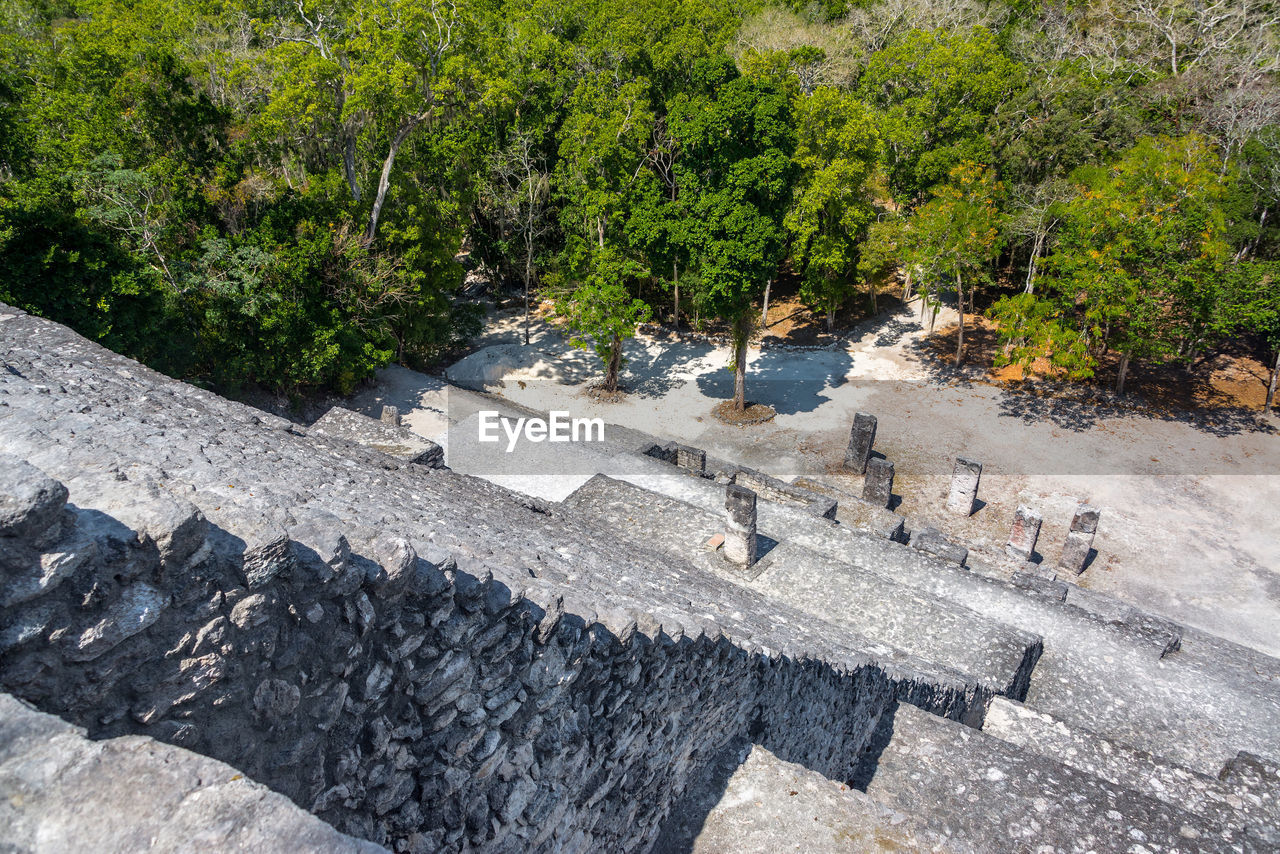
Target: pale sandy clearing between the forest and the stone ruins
1190, 523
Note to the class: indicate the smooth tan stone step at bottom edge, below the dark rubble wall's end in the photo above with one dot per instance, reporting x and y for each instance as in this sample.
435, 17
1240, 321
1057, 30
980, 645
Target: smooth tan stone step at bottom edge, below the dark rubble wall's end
771, 806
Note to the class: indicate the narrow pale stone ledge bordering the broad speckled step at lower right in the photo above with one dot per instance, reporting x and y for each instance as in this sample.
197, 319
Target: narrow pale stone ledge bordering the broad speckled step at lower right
1217, 801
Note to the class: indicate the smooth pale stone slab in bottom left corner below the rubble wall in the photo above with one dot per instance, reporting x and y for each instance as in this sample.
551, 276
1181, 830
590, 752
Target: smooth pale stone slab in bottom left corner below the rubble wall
61, 792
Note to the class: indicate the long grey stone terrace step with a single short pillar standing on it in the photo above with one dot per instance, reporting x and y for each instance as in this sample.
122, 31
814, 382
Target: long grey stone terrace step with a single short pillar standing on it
995, 656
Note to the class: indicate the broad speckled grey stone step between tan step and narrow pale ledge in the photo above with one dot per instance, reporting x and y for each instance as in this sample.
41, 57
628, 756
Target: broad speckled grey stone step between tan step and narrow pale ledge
996, 797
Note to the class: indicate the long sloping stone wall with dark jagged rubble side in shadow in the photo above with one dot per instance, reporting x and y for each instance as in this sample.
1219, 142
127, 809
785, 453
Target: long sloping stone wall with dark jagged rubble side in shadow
420, 659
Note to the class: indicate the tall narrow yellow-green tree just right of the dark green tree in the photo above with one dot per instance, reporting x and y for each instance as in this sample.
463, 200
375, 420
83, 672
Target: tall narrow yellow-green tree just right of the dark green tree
836, 150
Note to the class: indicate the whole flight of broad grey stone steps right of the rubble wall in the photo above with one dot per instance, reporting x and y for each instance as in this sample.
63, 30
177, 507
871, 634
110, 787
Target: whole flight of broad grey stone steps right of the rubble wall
1123, 743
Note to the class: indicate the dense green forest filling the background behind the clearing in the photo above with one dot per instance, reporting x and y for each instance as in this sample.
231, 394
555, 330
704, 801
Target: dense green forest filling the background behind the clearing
259, 193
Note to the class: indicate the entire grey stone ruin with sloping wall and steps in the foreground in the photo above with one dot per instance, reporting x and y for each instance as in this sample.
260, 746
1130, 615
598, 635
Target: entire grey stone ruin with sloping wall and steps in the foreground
223, 631
